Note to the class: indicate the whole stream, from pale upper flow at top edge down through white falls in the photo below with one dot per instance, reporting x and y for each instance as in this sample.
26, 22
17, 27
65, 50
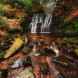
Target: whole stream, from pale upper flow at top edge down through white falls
42, 23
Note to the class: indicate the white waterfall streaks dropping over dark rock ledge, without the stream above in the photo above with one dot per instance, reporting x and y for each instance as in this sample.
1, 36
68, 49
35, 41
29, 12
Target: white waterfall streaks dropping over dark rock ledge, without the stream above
41, 24
